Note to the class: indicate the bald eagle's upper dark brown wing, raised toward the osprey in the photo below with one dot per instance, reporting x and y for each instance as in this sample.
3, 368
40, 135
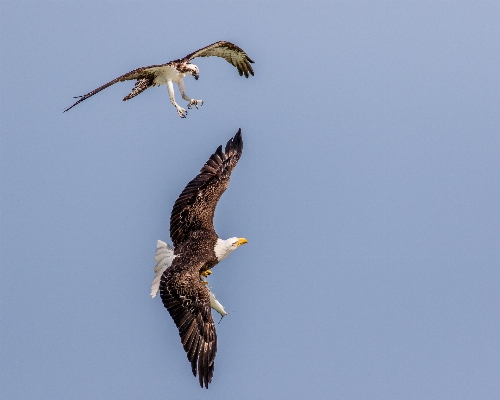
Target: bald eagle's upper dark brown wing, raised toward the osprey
195, 207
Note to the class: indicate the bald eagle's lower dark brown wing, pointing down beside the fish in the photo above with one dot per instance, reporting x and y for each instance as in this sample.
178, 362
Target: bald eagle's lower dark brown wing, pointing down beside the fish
188, 302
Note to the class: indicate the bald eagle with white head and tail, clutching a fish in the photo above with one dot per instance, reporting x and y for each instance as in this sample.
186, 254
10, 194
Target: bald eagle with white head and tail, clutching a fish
181, 271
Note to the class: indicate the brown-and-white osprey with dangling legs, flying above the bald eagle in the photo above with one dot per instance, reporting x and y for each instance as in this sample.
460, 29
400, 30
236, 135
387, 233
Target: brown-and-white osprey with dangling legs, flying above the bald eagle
174, 71
